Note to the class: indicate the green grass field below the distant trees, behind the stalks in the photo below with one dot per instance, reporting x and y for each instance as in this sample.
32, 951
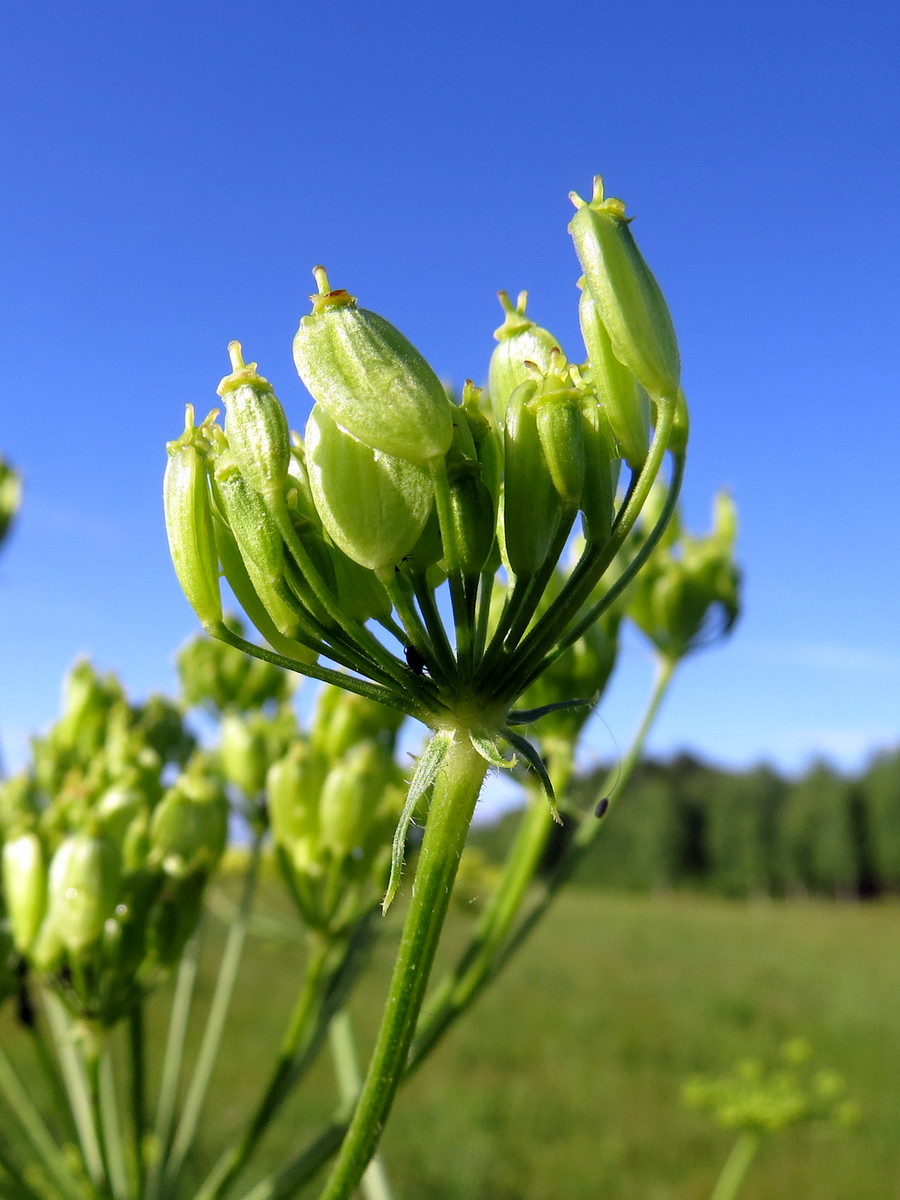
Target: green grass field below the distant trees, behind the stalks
563, 1084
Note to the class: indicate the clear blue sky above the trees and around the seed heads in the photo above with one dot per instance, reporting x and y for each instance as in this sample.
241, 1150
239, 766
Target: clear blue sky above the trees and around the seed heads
173, 172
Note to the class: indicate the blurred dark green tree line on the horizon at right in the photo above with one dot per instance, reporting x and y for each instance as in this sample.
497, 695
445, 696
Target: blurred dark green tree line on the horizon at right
688, 825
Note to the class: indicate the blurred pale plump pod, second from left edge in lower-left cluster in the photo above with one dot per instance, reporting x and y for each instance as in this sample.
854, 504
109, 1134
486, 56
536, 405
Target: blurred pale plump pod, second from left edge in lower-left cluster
83, 889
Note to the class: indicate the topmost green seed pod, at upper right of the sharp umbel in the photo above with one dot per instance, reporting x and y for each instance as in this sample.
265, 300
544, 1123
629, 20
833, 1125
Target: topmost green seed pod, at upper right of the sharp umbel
628, 298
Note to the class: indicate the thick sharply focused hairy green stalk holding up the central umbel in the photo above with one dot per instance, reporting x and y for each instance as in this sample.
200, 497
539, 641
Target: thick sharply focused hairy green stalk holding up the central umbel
454, 796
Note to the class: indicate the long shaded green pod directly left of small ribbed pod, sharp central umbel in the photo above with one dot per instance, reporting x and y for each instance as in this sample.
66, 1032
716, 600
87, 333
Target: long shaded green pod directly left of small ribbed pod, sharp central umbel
531, 502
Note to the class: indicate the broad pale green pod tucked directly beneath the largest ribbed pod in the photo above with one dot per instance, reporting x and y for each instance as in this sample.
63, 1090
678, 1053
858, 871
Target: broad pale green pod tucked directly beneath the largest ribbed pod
374, 506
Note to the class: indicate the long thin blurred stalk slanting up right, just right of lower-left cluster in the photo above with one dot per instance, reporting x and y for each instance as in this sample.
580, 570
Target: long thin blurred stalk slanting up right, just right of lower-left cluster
212, 1042
